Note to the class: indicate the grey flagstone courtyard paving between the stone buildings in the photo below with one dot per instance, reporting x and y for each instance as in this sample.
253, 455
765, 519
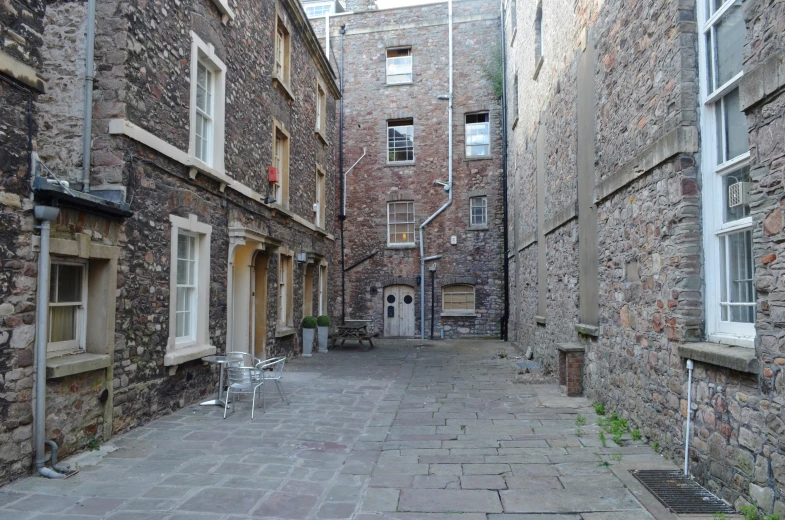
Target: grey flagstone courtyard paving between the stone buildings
448, 431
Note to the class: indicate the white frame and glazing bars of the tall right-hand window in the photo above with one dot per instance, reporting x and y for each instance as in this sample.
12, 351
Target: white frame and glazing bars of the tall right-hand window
740, 334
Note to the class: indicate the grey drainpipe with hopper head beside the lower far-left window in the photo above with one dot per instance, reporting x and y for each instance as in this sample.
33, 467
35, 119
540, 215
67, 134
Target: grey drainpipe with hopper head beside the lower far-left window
45, 214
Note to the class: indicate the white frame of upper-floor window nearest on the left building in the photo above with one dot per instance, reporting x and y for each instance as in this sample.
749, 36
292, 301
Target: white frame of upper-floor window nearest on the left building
204, 54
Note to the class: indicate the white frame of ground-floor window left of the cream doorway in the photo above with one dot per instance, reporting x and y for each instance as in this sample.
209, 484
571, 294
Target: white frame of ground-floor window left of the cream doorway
202, 232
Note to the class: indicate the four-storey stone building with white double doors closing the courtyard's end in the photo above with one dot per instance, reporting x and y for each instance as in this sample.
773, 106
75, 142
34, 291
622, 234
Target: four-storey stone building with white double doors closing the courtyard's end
395, 65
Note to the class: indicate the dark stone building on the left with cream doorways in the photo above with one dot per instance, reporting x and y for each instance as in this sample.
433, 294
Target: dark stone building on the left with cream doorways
203, 222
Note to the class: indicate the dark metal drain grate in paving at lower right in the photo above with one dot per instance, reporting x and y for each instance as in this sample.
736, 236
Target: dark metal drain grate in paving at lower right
680, 493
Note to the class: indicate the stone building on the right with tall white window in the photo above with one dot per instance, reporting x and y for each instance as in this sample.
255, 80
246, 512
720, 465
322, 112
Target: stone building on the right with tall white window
646, 165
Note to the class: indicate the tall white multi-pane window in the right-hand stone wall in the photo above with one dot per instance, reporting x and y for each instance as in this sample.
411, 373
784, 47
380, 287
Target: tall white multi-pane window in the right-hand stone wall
730, 293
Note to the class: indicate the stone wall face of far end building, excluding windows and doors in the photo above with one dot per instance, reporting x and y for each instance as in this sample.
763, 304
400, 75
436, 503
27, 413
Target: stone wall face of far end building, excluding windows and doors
369, 102
